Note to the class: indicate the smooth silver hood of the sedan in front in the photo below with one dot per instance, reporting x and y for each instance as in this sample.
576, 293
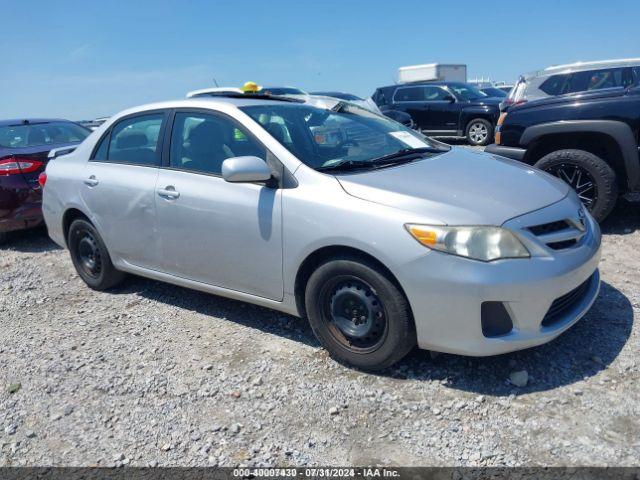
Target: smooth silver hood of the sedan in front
459, 187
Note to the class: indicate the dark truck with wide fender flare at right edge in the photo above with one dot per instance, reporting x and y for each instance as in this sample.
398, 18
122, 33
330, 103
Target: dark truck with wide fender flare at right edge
589, 140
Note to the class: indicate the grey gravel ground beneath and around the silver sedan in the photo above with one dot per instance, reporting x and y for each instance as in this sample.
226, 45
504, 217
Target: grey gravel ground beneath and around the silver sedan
153, 374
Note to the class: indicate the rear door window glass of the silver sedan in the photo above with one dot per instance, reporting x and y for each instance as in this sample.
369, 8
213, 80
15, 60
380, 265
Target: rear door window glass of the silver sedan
134, 140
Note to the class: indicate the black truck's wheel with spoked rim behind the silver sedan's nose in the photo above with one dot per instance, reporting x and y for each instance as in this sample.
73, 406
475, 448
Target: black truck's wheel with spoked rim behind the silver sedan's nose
589, 175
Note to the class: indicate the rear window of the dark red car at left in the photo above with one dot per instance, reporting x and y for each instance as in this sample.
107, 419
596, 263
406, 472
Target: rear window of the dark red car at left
37, 134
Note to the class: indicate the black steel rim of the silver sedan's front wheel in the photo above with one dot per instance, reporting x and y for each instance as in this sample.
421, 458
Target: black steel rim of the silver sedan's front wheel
353, 313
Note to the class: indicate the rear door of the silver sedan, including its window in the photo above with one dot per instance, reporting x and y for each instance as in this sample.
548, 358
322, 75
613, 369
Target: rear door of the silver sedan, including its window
119, 187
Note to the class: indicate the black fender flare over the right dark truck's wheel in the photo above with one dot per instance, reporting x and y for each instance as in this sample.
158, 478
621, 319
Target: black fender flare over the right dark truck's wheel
619, 131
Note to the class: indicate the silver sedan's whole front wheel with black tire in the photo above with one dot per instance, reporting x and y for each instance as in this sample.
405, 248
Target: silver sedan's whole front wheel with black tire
390, 331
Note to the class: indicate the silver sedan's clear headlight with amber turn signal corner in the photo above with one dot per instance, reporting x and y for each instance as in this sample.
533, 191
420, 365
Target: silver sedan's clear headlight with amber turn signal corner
480, 242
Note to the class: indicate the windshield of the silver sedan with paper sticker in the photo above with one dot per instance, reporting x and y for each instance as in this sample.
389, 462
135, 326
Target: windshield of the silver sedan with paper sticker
344, 135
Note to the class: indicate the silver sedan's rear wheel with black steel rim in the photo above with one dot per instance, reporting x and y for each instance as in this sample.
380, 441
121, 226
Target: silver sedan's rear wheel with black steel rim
90, 256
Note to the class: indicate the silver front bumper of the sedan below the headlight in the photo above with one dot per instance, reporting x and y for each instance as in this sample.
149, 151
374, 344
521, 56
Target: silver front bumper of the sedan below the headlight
446, 293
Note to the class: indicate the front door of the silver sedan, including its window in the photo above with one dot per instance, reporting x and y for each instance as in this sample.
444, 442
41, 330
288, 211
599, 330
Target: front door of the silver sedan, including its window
223, 234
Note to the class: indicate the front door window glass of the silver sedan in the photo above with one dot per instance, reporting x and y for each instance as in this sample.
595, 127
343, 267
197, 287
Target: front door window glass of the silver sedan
201, 142
